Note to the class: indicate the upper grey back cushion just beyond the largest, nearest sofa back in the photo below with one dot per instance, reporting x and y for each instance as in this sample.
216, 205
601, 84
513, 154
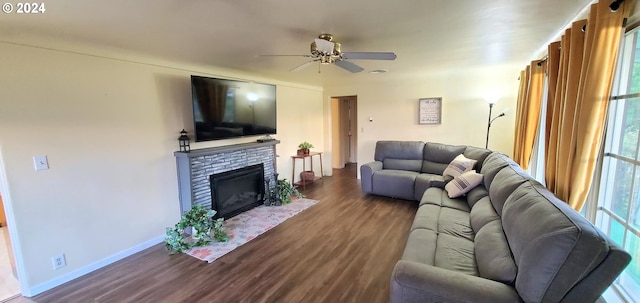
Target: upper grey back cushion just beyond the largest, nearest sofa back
504, 183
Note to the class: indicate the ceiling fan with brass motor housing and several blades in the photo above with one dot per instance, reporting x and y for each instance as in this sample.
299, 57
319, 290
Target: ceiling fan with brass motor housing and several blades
325, 51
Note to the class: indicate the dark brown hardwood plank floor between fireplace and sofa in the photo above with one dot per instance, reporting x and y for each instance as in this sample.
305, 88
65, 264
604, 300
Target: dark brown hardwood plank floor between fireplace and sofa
340, 250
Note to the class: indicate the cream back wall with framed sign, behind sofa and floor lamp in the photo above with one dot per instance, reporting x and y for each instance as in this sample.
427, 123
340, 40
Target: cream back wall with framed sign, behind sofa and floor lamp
393, 104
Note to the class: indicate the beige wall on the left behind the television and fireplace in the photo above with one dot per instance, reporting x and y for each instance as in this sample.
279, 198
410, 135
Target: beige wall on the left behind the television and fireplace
109, 130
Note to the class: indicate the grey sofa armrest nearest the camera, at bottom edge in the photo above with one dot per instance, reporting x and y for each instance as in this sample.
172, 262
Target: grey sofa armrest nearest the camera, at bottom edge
417, 282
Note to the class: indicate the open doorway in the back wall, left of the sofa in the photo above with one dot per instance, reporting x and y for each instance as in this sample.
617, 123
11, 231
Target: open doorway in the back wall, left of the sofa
344, 113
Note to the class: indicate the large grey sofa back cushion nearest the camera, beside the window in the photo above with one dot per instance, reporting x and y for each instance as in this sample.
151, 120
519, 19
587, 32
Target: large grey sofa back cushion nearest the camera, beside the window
554, 245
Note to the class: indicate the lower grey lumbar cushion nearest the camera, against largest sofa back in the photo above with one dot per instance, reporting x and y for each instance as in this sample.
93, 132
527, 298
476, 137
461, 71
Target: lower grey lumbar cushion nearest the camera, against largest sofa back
493, 255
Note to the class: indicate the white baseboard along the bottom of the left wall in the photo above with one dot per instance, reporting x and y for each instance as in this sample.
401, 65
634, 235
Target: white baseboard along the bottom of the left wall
37, 289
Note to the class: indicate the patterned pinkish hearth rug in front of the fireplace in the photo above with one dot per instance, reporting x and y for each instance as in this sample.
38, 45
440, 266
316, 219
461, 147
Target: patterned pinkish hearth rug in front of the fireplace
248, 225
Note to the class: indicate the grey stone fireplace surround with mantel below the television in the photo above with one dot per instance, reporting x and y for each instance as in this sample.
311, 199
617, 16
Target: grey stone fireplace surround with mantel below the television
195, 167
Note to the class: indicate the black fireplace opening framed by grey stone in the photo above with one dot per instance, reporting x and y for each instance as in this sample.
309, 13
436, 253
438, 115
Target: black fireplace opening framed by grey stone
236, 191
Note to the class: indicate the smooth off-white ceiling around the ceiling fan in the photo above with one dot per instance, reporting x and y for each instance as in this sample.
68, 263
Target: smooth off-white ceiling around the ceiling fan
427, 35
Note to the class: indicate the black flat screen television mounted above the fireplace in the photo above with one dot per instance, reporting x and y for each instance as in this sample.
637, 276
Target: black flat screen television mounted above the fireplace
224, 109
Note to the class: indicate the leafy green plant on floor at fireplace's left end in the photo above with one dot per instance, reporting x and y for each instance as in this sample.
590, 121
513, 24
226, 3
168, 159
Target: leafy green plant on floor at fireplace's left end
202, 224
